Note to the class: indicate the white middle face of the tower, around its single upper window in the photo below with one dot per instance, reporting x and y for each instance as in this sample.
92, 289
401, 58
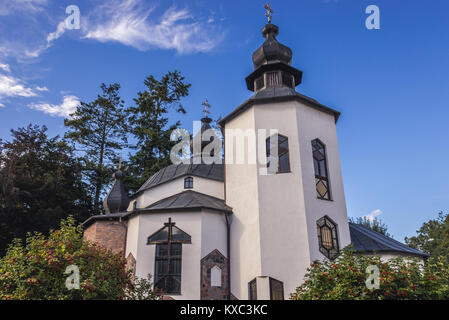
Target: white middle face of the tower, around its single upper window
283, 224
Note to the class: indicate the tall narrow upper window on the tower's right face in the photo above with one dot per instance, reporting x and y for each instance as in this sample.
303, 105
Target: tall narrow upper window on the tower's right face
321, 173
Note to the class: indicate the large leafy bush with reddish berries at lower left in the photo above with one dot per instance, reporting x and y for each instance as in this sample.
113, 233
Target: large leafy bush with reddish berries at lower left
37, 269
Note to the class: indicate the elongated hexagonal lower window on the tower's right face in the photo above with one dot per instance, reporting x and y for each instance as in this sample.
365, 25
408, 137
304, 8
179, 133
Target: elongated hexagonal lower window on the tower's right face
327, 237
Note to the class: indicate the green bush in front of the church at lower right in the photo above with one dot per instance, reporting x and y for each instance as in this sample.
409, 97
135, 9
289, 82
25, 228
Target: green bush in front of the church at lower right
345, 279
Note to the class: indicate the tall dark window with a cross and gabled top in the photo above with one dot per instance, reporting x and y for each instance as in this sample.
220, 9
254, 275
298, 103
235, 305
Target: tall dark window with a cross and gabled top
168, 258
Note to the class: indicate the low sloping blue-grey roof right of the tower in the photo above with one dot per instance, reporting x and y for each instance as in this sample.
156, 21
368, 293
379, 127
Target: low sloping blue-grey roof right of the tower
367, 240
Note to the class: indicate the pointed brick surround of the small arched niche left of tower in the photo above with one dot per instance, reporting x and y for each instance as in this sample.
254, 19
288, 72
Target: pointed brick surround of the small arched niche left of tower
215, 258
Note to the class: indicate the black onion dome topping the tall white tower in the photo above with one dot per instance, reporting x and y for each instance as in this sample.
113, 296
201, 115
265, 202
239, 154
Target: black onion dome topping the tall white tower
271, 50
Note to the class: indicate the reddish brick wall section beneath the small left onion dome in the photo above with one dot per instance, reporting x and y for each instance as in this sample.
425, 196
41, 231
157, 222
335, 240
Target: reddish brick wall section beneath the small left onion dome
110, 234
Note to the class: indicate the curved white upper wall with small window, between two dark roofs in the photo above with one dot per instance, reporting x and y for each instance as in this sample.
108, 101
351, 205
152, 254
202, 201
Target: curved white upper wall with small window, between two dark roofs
206, 186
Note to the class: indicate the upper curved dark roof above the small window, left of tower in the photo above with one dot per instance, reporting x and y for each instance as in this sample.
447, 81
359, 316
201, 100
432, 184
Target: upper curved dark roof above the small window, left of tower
208, 171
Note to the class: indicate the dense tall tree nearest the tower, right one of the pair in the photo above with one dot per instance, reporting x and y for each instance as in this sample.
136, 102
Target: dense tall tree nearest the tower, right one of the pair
149, 124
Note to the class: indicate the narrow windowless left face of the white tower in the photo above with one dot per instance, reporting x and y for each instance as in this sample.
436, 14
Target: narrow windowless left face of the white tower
242, 195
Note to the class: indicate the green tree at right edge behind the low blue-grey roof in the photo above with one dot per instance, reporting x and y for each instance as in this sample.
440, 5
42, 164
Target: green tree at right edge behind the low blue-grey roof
433, 237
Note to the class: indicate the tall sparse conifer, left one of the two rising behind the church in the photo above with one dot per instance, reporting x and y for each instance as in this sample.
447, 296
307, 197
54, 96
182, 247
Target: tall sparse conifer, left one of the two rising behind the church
99, 130
